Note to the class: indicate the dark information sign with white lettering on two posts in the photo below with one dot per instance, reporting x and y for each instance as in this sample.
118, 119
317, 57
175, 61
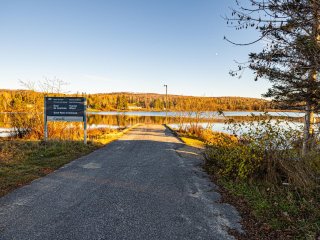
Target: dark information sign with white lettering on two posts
65, 109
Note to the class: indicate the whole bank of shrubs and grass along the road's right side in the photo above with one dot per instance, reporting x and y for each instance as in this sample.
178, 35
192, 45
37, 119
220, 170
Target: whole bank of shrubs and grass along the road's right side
279, 186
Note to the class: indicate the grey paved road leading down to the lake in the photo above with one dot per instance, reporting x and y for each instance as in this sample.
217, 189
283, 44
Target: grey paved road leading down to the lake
147, 185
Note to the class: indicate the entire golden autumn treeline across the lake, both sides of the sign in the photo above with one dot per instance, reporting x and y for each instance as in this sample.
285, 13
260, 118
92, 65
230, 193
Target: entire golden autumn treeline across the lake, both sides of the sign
22, 100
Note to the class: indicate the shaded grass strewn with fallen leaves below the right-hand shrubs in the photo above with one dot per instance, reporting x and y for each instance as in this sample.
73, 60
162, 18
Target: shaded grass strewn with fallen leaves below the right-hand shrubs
271, 213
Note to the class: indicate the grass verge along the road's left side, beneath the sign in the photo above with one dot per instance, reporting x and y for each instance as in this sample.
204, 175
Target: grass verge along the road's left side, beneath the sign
22, 161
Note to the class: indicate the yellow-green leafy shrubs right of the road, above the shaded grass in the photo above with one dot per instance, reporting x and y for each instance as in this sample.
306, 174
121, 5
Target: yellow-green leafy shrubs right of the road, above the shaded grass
268, 150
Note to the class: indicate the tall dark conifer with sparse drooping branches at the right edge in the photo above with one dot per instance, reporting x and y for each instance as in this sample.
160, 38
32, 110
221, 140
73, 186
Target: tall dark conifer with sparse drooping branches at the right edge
290, 59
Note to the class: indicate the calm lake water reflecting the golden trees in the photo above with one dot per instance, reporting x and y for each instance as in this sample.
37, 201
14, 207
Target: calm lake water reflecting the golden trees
115, 120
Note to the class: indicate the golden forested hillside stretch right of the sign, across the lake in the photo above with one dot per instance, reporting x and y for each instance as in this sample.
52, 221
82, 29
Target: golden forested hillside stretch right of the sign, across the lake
154, 101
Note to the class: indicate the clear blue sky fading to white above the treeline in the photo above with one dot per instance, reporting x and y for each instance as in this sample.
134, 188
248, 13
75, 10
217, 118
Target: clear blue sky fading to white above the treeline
101, 46
